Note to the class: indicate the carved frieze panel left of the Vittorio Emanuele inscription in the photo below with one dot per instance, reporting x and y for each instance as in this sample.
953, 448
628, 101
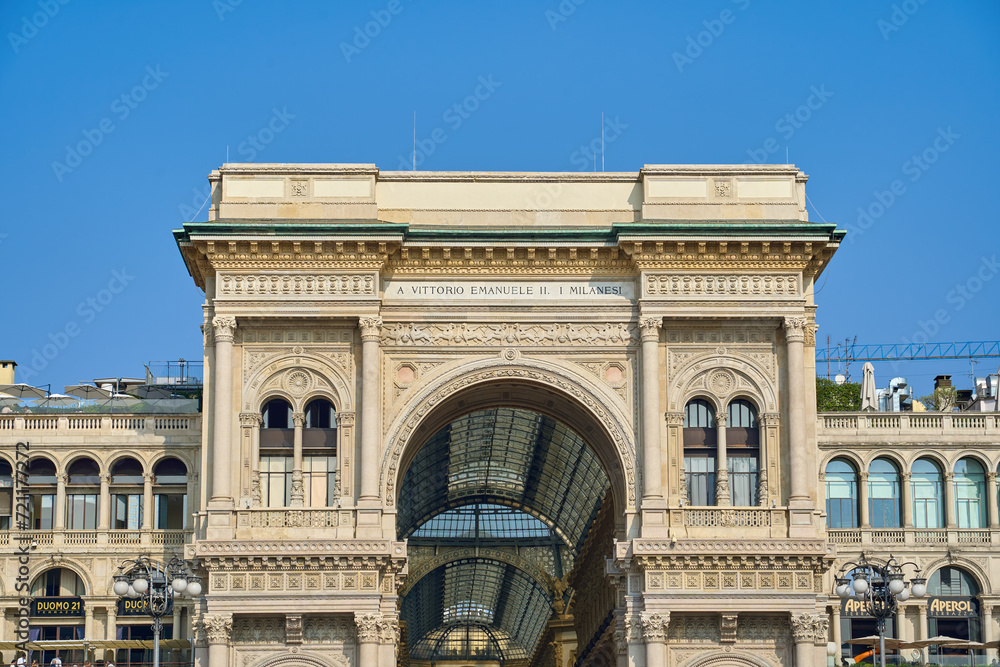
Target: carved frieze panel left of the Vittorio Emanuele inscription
293, 284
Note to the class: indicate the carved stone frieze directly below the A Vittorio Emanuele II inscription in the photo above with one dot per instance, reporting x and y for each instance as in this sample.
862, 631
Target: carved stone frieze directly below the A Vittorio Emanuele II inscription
503, 333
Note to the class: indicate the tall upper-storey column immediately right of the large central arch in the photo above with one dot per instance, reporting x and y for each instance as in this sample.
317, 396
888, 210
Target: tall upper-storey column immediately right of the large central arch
652, 478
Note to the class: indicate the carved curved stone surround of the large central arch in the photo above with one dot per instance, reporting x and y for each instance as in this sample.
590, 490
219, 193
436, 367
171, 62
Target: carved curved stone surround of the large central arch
552, 388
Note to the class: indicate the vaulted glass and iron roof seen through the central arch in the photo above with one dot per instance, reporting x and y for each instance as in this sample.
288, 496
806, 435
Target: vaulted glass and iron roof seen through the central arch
502, 479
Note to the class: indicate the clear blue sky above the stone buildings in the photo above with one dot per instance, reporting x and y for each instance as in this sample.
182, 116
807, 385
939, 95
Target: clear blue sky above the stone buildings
854, 90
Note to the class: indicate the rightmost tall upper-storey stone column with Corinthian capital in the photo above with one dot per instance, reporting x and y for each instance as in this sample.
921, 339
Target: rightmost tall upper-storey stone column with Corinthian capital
795, 331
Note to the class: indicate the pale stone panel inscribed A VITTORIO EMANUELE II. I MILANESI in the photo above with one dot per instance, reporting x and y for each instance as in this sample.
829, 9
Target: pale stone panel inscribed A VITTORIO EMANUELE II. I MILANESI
507, 290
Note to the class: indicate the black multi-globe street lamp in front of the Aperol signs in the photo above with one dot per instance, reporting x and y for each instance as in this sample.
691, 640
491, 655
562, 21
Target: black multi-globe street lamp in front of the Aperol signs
880, 587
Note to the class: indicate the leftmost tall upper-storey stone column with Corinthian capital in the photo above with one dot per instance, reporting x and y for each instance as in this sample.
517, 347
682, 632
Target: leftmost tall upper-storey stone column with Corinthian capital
220, 458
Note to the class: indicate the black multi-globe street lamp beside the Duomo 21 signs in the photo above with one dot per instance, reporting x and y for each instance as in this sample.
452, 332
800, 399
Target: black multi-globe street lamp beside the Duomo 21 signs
143, 579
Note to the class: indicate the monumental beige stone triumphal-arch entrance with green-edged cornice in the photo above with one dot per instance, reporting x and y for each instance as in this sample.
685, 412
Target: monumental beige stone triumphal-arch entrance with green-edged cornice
563, 418
